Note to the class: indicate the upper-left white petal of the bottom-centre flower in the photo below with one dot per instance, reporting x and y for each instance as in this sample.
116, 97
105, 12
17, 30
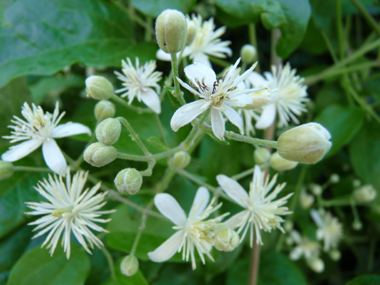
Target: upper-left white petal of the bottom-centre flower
169, 207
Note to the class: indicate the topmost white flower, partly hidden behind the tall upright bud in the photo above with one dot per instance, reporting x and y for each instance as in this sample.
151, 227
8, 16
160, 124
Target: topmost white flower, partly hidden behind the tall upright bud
206, 42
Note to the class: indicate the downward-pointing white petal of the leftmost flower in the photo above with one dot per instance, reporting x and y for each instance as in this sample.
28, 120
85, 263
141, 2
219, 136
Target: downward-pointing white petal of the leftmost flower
54, 157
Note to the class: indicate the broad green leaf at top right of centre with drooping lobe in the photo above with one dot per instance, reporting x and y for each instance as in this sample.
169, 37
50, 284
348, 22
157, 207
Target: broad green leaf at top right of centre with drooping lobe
291, 17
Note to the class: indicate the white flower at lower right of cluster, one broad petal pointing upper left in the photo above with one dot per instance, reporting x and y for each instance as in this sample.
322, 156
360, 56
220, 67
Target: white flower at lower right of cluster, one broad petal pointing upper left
261, 212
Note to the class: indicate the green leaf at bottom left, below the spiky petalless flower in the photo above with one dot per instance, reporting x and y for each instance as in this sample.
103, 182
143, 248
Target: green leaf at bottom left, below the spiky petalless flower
37, 267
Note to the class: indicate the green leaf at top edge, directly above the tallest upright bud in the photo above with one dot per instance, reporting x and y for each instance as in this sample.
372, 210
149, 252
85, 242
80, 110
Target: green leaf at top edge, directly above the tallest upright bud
154, 8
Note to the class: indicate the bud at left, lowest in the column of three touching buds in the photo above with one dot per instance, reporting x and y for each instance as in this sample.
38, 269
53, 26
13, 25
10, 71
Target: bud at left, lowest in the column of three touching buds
99, 154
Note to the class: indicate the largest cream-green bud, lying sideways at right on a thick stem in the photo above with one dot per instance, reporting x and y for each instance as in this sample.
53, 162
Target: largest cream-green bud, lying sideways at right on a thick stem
306, 143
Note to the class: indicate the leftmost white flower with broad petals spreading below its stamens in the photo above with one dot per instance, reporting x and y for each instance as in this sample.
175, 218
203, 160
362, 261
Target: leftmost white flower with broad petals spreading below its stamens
41, 129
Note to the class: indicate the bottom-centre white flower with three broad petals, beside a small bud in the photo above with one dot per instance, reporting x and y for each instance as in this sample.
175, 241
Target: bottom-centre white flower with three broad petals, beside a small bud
193, 232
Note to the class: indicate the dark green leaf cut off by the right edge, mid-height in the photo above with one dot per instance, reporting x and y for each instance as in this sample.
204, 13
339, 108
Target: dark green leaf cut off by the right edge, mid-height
365, 152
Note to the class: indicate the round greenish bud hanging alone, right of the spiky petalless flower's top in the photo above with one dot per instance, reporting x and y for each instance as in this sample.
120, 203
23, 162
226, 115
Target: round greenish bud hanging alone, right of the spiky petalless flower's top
128, 180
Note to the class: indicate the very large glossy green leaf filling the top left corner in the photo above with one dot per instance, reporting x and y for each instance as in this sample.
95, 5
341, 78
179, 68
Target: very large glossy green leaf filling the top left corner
42, 37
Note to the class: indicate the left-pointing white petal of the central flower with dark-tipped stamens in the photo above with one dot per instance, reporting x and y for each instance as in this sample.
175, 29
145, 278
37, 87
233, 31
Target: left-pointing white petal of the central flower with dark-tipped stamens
186, 114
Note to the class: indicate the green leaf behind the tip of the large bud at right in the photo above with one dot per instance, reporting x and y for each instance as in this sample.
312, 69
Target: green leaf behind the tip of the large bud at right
343, 122
